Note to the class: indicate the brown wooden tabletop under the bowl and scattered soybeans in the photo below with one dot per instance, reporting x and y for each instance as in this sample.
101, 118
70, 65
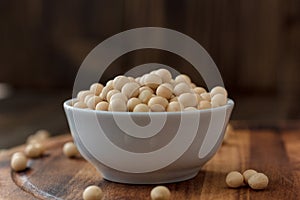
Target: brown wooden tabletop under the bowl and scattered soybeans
275, 152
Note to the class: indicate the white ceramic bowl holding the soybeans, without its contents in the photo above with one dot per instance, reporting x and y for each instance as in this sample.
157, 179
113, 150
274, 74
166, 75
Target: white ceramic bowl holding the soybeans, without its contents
148, 148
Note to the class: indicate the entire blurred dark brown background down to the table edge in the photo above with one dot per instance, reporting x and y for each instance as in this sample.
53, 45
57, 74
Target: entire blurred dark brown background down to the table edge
255, 44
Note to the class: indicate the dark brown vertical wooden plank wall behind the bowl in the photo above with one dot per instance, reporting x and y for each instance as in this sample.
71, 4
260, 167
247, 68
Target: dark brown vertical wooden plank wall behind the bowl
254, 43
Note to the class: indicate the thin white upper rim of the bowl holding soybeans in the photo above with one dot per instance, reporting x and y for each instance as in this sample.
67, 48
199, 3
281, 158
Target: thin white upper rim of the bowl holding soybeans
66, 105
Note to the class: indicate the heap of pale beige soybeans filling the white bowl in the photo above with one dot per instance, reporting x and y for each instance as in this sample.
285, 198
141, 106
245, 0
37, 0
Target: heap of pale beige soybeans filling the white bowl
156, 91
